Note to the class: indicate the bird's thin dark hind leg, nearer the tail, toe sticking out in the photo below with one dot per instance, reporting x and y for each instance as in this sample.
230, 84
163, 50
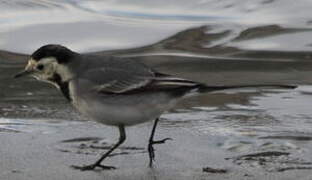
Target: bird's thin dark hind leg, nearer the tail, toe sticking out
150, 147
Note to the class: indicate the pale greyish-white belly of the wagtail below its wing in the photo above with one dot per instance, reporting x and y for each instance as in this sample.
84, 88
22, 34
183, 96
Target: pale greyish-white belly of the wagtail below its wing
123, 109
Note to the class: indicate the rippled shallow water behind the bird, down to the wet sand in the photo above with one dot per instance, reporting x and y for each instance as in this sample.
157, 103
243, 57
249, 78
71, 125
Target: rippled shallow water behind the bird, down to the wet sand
211, 41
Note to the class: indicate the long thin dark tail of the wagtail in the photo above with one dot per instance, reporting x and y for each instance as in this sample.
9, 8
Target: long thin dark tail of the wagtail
202, 88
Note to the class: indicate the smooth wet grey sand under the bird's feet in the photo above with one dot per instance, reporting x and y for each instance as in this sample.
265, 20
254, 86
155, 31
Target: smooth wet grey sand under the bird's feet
49, 155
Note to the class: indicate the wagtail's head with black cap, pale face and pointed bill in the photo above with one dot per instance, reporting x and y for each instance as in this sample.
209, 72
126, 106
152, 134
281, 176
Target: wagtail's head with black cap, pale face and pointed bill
47, 62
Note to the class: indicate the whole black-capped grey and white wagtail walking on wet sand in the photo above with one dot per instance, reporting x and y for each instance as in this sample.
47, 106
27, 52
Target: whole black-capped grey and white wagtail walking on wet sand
113, 91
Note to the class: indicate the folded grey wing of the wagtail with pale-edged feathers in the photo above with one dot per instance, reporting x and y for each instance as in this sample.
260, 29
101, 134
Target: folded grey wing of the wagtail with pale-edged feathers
128, 76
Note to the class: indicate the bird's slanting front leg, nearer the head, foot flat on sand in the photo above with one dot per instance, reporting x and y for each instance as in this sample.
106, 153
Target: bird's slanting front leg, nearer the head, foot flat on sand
122, 138
